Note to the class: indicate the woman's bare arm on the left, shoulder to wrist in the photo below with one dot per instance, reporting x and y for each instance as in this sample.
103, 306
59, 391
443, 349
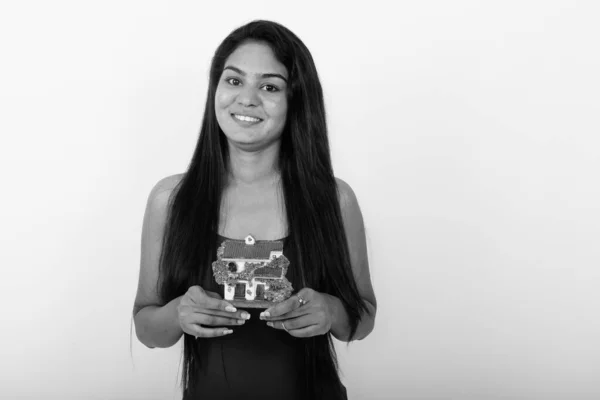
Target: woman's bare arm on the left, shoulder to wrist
156, 324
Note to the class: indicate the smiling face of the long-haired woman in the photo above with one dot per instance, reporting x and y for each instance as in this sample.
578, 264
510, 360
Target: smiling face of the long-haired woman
251, 97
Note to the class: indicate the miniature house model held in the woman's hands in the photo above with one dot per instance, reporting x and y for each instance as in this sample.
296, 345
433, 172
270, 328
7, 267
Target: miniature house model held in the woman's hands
252, 272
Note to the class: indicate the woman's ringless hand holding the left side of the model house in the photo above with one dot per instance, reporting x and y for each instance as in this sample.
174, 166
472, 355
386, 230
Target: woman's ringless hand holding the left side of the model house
205, 314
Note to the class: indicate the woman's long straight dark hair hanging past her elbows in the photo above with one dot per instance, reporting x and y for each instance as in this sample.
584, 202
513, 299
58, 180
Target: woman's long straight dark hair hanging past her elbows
311, 201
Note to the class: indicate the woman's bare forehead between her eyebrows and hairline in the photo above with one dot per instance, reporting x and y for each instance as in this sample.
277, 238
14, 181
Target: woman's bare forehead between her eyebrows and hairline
256, 58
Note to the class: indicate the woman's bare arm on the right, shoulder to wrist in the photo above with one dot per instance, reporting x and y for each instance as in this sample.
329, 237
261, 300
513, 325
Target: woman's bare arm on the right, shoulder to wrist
357, 245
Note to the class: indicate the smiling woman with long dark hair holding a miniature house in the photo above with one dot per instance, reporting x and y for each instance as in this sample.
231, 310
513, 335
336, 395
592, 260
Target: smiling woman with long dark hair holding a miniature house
262, 166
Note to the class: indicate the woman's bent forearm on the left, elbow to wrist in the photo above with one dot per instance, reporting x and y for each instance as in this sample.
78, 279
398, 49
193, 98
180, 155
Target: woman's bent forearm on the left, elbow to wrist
158, 326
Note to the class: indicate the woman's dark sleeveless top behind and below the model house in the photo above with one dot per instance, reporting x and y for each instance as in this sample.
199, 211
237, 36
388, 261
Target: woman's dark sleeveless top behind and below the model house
255, 361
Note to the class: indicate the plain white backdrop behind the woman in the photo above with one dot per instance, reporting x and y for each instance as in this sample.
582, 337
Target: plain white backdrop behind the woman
469, 131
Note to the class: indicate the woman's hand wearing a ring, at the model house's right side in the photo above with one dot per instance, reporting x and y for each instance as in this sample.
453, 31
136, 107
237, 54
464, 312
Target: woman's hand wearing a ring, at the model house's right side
305, 314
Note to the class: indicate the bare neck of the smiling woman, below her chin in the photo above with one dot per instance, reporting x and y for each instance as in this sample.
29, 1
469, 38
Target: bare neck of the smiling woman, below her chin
253, 167
